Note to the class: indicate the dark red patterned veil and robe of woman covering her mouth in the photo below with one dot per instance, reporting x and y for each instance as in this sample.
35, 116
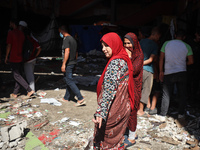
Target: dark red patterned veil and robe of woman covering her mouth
137, 61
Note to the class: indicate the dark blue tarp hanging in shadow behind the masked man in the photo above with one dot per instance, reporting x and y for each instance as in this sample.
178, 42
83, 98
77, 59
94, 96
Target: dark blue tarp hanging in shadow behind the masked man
88, 37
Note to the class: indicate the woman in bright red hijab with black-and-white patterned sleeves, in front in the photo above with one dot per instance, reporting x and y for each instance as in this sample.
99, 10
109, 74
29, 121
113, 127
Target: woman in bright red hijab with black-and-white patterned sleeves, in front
115, 95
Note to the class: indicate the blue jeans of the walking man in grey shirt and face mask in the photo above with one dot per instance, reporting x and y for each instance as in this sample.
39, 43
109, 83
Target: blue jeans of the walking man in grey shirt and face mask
71, 86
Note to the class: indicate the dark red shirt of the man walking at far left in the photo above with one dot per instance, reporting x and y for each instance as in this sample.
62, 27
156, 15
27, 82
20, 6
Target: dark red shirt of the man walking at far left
16, 39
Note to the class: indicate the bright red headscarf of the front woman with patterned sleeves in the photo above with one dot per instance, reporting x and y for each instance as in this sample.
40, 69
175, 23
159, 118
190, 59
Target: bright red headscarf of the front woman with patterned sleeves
118, 52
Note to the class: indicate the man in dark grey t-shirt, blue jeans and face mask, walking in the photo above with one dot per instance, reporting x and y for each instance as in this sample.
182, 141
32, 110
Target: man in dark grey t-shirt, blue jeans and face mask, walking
69, 48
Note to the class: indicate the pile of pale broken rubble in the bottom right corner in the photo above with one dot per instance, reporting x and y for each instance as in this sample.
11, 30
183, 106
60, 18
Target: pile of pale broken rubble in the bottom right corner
171, 134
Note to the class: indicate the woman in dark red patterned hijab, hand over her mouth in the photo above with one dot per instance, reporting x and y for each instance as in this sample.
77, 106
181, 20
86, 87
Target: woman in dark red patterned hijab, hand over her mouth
135, 53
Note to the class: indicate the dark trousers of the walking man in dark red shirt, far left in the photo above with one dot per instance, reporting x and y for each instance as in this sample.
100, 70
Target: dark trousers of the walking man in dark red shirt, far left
19, 80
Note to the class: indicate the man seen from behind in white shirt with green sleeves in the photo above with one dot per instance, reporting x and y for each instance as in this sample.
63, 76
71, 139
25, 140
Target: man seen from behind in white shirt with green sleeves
175, 54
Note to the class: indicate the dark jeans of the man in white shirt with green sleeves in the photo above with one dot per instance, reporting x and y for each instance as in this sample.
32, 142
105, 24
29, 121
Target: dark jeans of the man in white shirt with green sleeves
180, 79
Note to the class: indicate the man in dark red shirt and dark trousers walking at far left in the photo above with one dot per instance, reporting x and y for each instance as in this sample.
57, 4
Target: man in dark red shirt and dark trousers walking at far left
15, 40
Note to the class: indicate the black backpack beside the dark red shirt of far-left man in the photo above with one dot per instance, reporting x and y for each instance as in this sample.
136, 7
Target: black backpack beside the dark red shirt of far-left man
28, 48
